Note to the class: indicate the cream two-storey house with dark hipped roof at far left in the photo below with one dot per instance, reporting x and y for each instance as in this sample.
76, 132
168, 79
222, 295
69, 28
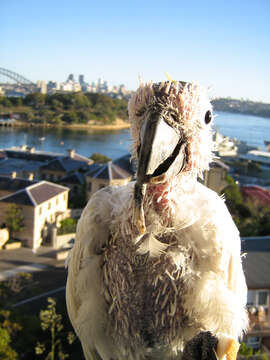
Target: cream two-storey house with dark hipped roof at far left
43, 204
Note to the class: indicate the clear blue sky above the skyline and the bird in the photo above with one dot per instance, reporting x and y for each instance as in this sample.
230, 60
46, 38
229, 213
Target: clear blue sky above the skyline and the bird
220, 43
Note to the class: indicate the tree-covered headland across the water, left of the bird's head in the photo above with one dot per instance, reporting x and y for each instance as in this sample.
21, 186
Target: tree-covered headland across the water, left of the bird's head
70, 108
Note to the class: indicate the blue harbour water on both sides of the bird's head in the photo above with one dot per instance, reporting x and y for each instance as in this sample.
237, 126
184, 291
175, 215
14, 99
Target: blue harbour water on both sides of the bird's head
251, 129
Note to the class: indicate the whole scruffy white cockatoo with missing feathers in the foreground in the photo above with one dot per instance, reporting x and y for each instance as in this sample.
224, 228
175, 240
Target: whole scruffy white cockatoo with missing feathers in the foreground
155, 271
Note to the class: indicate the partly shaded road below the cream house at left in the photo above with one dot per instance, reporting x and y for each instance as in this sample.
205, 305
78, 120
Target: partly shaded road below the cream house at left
48, 276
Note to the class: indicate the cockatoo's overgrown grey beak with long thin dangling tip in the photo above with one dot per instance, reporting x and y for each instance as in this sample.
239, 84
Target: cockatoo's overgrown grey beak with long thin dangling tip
160, 146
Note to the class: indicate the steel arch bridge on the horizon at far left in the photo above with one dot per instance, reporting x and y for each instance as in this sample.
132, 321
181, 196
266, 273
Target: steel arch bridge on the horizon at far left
10, 80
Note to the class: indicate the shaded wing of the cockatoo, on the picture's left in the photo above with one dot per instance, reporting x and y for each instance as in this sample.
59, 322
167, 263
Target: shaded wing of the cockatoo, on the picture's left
84, 293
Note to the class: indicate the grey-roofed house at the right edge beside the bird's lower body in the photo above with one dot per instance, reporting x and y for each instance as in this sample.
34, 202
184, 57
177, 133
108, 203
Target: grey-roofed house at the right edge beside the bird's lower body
256, 264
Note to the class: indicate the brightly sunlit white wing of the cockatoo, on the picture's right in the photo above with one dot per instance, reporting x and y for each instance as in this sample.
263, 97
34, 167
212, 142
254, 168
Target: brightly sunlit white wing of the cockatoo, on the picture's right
219, 294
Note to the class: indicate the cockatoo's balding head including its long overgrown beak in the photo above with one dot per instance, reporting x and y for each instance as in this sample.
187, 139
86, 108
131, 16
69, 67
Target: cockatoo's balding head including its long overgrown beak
171, 131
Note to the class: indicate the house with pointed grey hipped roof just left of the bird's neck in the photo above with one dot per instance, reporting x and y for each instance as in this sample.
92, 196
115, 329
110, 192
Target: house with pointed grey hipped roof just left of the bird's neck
101, 175
